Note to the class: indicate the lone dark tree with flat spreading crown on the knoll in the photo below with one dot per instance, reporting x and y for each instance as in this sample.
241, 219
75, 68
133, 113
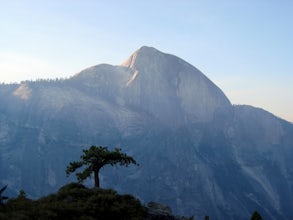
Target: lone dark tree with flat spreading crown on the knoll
94, 159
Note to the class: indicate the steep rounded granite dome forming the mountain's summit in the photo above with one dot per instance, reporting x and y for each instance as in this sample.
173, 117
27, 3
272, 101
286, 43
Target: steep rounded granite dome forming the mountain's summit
171, 89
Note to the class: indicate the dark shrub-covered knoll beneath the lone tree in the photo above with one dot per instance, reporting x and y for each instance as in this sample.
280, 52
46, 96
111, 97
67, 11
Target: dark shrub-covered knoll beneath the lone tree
74, 201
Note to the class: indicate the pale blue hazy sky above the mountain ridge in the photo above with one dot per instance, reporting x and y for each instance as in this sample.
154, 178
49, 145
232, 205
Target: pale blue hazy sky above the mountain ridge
243, 46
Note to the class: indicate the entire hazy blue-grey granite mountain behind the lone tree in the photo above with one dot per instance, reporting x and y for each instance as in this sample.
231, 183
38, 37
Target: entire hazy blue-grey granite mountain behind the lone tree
197, 153
